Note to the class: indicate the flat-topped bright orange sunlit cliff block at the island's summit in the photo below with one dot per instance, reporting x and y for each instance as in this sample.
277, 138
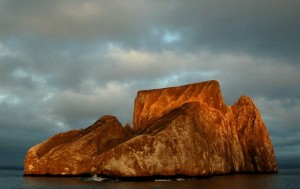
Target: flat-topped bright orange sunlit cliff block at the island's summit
152, 104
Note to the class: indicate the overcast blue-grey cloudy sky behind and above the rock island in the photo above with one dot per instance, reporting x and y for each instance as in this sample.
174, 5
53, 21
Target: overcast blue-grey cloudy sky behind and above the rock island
66, 63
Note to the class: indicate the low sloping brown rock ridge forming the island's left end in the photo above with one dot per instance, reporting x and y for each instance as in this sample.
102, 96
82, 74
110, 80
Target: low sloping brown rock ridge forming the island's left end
74, 152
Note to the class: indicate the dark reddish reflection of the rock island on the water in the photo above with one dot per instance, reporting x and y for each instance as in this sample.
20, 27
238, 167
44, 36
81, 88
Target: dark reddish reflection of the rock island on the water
245, 181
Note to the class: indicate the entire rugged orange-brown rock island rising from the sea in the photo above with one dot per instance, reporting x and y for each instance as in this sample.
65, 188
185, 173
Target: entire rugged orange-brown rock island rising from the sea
186, 130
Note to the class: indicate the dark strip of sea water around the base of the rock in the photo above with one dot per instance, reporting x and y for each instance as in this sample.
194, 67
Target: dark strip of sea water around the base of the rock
286, 178
